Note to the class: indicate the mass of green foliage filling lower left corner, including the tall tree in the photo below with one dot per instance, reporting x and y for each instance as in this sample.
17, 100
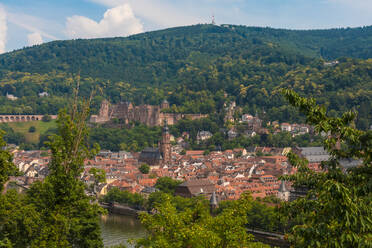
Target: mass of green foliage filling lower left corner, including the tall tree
55, 212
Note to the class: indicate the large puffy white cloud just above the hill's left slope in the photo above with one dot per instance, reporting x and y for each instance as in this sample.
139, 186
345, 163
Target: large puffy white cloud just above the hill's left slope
117, 21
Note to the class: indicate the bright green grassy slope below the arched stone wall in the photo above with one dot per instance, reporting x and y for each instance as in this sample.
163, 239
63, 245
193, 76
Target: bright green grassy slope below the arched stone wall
41, 128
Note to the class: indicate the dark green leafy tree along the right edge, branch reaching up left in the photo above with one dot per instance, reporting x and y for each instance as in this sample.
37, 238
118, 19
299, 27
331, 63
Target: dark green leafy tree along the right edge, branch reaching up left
336, 211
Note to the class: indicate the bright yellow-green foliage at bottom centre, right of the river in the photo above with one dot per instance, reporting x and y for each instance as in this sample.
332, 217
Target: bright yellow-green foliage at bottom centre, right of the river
196, 227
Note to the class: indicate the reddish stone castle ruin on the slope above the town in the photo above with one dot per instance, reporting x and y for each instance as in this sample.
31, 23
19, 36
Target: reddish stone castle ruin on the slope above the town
147, 114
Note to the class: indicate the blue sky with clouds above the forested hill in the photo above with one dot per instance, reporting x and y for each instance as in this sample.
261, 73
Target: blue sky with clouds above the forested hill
32, 22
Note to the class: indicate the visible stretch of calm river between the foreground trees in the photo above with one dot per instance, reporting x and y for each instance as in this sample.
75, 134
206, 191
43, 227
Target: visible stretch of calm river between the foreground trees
118, 229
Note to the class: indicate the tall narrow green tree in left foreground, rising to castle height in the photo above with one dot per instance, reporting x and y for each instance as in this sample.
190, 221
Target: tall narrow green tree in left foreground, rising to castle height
68, 217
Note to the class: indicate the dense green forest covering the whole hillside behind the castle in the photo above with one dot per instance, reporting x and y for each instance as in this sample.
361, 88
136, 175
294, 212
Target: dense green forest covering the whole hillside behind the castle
197, 69
